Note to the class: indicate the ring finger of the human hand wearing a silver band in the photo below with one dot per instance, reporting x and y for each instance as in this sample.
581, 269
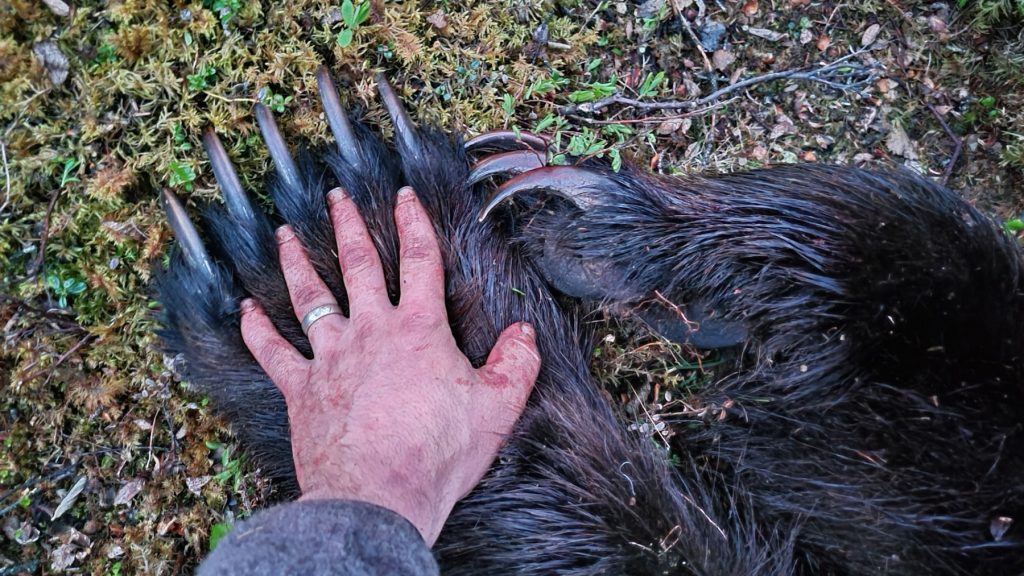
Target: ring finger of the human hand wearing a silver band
306, 289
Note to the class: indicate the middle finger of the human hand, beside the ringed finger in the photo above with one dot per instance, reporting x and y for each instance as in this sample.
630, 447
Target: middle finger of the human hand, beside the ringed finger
361, 266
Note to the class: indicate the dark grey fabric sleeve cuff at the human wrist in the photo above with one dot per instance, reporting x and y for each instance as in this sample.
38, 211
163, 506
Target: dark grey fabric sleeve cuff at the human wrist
340, 538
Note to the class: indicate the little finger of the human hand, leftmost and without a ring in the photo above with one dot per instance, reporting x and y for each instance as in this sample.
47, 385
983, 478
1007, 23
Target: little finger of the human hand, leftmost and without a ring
285, 365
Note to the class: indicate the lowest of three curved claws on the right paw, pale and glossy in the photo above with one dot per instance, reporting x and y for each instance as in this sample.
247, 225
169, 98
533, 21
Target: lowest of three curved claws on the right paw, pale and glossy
577, 185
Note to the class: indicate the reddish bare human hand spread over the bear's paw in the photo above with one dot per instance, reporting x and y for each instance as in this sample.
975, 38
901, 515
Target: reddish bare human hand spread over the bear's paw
390, 412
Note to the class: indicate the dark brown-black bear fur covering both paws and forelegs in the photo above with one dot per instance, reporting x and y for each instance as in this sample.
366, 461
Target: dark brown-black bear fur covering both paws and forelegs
873, 427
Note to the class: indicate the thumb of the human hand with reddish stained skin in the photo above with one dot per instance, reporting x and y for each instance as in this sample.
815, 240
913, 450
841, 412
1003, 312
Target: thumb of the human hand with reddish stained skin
509, 376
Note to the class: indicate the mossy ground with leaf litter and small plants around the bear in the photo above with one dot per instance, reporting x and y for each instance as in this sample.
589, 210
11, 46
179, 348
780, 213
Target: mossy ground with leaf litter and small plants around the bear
111, 466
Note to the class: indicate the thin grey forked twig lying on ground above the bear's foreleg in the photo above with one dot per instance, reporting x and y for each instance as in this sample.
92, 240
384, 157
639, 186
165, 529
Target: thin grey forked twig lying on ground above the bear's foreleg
840, 75
